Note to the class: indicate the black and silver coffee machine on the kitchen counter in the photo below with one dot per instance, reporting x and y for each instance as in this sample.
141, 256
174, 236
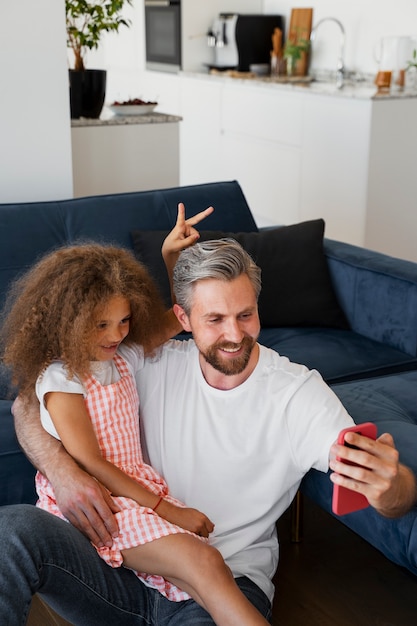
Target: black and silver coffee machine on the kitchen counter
240, 40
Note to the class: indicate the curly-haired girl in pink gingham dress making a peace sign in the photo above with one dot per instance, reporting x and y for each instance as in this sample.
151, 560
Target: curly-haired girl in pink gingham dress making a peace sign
77, 330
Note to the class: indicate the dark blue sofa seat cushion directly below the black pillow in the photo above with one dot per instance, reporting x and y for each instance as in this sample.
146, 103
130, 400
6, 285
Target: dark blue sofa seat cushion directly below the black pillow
339, 355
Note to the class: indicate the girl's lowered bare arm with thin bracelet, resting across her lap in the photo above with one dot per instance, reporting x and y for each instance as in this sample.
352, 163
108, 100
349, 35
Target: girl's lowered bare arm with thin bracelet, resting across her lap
74, 427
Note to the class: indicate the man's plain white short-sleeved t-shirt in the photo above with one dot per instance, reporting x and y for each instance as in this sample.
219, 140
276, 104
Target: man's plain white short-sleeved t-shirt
237, 455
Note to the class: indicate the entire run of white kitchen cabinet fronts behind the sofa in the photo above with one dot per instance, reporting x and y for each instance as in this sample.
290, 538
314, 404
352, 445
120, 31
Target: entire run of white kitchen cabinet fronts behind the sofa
297, 155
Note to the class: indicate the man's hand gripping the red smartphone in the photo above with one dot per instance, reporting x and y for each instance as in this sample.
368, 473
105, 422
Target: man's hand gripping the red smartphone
389, 486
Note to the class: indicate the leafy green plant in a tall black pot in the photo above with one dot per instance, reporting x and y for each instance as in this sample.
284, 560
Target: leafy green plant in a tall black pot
86, 22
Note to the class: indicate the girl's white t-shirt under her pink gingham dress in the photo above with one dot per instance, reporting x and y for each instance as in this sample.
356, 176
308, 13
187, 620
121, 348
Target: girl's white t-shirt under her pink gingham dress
55, 378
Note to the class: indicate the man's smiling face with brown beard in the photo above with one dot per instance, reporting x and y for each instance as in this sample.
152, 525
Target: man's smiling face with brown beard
225, 325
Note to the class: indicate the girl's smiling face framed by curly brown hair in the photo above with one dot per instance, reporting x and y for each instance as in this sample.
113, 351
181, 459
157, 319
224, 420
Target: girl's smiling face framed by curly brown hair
112, 326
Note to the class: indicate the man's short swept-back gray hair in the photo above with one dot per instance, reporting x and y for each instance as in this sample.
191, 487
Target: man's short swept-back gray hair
220, 259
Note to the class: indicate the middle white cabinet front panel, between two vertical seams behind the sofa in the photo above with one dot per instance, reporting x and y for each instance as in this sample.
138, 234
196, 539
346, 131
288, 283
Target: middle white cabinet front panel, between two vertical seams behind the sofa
261, 147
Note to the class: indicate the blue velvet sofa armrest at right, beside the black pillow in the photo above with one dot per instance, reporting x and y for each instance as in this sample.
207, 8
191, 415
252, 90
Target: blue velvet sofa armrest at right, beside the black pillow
377, 292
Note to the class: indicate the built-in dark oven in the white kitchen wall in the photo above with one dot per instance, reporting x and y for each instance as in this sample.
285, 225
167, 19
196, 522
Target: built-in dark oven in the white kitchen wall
163, 35
